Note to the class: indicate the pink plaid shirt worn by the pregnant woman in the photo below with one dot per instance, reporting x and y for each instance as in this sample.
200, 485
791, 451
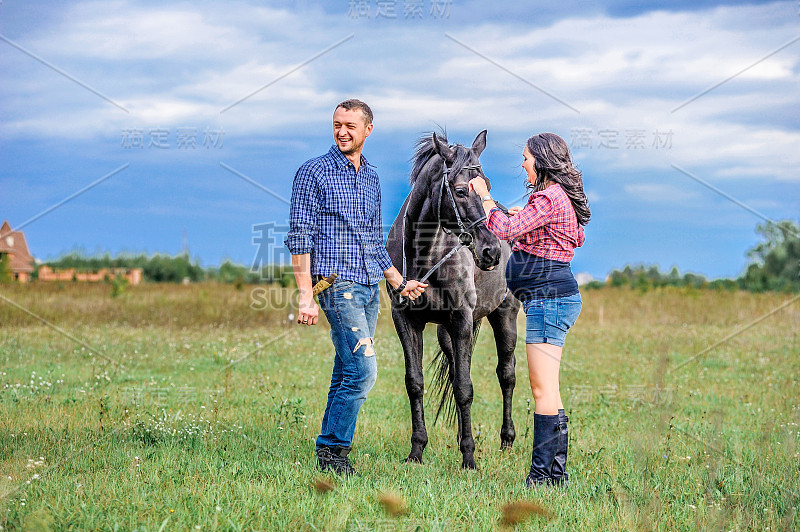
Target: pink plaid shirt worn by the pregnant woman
547, 227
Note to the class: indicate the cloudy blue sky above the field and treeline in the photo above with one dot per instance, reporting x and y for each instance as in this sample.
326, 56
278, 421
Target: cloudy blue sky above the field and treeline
144, 127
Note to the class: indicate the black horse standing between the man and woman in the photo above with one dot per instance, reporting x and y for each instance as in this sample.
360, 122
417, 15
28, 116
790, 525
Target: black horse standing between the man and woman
442, 219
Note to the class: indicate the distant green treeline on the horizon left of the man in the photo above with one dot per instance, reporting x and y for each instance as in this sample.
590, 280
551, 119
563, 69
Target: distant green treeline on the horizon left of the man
166, 269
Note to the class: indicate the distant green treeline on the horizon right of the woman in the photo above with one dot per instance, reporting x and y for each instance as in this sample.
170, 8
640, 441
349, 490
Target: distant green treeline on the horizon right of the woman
774, 266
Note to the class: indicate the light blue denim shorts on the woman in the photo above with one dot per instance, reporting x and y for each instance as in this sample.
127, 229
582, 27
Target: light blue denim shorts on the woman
547, 320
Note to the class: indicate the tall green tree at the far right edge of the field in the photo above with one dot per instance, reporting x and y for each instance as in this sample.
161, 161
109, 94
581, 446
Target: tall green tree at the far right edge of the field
775, 262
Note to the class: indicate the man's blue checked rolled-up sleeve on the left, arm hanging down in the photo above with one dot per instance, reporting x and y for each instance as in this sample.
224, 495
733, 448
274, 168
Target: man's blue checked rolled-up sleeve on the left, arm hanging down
303, 212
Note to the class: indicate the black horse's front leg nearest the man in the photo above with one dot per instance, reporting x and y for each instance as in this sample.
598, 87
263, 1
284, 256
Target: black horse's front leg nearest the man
410, 335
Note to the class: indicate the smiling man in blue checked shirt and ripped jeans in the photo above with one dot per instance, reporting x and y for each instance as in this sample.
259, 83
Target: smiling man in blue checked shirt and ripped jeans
335, 228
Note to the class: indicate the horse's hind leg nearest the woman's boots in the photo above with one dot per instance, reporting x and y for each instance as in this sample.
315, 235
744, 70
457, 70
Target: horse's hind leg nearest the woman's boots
504, 323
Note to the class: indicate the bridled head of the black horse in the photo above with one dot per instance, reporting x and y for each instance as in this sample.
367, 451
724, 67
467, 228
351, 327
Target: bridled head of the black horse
460, 211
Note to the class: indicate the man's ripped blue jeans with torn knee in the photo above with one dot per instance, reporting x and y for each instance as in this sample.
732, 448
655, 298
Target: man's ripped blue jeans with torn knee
352, 310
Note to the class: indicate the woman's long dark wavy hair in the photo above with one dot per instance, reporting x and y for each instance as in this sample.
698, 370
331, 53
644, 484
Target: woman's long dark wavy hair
553, 163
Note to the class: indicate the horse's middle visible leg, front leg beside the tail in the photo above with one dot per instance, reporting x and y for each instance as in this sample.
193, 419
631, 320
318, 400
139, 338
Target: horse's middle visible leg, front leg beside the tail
460, 329
